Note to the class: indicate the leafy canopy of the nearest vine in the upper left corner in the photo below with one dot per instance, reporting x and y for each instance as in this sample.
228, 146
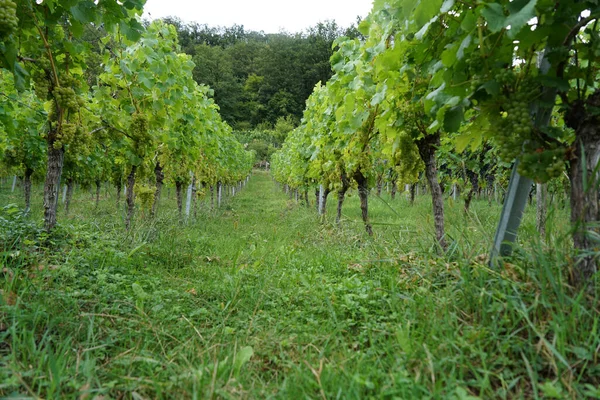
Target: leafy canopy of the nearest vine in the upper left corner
47, 45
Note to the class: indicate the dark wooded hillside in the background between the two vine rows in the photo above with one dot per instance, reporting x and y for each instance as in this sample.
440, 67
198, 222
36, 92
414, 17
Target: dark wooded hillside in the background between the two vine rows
258, 77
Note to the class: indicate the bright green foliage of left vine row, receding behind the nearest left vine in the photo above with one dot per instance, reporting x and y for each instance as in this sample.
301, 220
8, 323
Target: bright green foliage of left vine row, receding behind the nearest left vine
159, 115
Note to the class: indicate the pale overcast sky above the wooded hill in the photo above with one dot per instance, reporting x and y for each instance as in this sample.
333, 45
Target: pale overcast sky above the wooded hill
270, 16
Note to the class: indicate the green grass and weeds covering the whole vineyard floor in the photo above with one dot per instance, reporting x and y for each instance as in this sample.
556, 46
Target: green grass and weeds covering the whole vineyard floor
261, 300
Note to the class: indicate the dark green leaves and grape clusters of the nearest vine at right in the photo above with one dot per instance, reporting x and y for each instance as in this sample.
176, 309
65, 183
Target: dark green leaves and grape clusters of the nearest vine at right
477, 72
